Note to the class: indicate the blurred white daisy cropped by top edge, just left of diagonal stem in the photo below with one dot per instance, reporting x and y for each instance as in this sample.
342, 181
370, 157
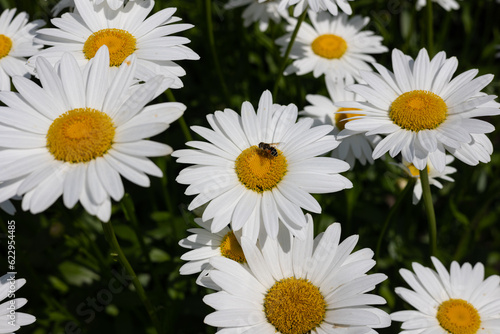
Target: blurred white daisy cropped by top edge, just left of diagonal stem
260, 12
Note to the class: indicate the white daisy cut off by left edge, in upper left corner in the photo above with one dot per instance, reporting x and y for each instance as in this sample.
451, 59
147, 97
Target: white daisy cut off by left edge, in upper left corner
16, 43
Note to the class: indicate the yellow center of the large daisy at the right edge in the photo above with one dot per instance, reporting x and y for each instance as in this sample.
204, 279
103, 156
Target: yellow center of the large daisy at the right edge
418, 110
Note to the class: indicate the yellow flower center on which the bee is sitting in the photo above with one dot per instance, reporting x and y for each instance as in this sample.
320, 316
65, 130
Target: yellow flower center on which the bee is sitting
258, 170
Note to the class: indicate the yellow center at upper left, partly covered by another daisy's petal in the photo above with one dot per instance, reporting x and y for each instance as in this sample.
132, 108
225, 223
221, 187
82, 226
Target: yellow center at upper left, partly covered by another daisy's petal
120, 43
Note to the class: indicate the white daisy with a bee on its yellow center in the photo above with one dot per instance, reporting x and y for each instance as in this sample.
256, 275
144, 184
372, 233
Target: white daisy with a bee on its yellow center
260, 168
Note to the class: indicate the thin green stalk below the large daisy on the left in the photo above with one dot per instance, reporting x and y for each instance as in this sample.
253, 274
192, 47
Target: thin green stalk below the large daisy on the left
115, 247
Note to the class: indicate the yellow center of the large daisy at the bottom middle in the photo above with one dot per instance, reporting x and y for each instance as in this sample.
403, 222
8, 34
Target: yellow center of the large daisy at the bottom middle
294, 306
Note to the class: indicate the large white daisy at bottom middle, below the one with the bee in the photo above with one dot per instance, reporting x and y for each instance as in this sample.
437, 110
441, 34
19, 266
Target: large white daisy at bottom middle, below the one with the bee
313, 285
